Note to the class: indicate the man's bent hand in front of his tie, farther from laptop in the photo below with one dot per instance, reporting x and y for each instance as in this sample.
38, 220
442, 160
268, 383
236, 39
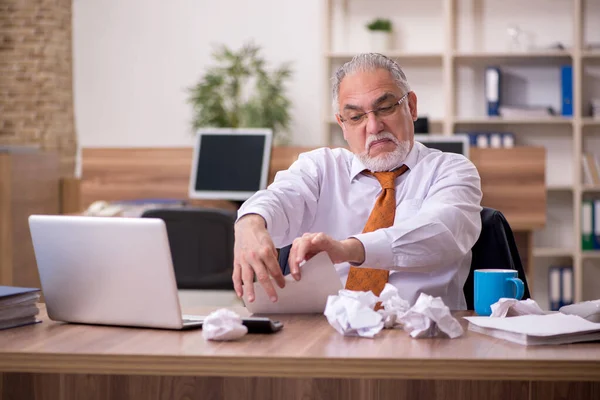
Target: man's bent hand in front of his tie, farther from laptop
307, 246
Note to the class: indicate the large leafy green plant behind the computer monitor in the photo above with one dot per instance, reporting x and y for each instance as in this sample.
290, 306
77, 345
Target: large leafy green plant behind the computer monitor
240, 92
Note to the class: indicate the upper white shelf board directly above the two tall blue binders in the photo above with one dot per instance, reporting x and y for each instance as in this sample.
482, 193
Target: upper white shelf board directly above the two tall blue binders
532, 57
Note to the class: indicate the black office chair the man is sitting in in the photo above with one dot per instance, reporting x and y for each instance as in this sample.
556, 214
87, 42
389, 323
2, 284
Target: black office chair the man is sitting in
495, 249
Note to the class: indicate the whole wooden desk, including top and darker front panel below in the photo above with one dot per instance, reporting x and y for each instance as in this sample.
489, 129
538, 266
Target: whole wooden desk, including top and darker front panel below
307, 359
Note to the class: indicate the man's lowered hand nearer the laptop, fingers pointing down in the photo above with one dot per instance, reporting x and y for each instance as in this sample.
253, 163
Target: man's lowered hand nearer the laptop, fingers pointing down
255, 253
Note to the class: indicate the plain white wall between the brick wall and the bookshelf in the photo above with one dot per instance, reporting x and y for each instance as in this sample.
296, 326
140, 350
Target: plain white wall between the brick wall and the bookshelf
134, 59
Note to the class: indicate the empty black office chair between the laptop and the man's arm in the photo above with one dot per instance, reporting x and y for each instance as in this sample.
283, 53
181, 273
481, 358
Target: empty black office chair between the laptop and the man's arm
201, 241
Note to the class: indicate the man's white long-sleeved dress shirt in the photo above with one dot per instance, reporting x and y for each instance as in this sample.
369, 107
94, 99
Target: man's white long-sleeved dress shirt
437, 222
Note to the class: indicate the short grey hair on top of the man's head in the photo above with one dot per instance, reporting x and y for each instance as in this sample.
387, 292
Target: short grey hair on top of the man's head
368, 62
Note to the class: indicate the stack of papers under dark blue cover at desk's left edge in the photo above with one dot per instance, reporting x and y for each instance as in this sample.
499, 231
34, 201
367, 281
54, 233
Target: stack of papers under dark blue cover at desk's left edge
18, 306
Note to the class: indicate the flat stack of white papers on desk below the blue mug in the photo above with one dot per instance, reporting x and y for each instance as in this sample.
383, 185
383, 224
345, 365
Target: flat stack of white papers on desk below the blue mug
556, 328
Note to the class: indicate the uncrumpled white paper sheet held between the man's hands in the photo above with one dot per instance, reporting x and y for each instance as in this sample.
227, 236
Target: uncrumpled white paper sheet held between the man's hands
307, 296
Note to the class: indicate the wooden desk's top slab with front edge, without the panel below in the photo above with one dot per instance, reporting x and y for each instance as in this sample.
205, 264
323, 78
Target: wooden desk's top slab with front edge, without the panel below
307, 346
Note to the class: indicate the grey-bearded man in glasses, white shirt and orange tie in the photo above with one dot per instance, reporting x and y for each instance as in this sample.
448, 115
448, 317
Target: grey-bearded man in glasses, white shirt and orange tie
389, 210
